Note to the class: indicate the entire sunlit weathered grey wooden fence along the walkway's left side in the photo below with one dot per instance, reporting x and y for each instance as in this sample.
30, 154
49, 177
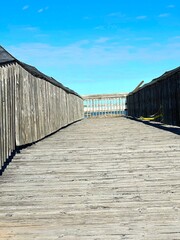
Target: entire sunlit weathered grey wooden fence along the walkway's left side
32, 108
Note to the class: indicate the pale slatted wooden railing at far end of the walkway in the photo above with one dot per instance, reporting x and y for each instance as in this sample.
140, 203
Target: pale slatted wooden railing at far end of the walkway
102, 105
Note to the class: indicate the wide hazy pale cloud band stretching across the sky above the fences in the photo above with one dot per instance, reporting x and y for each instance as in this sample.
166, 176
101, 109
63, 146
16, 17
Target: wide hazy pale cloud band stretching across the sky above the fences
95, 54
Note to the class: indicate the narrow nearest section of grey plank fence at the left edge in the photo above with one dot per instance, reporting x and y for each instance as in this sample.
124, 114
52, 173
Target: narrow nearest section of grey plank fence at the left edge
7, 113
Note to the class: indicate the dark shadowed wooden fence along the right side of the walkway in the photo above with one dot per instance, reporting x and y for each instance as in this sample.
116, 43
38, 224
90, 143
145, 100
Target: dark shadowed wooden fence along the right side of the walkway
160, 95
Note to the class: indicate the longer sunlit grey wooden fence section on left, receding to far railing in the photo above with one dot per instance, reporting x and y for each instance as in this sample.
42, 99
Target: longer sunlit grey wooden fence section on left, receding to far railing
37, 97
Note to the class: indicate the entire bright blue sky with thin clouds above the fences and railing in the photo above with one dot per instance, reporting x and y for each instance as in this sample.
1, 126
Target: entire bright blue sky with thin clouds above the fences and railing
97, 46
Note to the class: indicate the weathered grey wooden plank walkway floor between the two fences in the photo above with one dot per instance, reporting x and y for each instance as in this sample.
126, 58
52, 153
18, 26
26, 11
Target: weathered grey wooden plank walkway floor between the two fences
110, 178
